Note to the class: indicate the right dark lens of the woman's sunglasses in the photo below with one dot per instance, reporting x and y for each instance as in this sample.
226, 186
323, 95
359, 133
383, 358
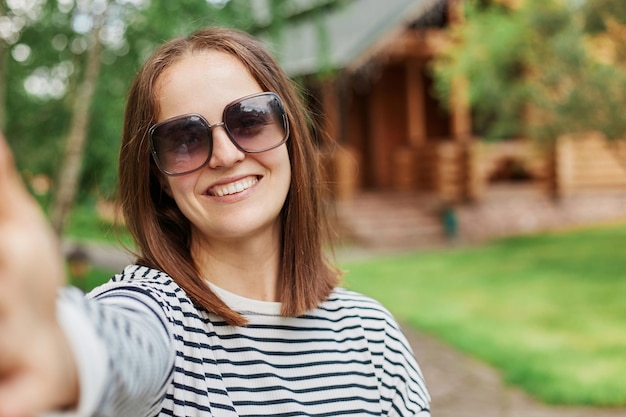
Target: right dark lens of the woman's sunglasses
256, 123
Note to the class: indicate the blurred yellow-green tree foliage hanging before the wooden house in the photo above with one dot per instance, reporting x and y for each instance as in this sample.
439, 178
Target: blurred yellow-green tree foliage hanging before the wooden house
529, 70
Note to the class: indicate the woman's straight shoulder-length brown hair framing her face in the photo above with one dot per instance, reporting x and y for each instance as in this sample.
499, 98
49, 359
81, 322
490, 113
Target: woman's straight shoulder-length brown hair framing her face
161, 231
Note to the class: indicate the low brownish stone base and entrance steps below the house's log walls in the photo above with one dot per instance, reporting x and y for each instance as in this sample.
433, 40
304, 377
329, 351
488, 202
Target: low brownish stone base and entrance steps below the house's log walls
399, 221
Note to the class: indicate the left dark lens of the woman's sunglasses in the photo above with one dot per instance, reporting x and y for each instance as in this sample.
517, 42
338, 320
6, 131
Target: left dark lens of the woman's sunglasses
181, 145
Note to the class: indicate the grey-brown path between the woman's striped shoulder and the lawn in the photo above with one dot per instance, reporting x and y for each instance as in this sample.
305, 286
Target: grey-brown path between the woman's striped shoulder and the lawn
462, 386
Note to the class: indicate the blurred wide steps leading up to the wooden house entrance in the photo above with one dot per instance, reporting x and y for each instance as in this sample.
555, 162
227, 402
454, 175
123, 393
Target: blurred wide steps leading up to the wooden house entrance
391, 221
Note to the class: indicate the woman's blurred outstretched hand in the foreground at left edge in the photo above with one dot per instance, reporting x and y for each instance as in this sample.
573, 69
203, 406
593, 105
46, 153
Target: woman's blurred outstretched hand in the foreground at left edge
37, 372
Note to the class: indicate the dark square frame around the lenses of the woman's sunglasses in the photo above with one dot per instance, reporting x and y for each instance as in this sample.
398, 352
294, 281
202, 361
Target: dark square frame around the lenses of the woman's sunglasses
210, 128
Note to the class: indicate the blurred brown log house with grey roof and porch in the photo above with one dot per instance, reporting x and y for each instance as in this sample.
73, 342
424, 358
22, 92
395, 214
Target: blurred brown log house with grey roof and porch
365, 67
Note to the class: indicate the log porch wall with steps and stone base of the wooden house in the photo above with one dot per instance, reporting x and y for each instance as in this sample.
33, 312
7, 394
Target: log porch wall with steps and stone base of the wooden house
495, 189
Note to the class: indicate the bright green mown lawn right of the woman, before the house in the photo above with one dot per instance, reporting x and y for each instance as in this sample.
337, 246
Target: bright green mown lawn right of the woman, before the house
549, 311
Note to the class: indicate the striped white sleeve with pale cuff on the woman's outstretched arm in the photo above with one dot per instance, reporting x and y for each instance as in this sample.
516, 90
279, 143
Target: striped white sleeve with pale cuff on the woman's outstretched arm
123, 351
